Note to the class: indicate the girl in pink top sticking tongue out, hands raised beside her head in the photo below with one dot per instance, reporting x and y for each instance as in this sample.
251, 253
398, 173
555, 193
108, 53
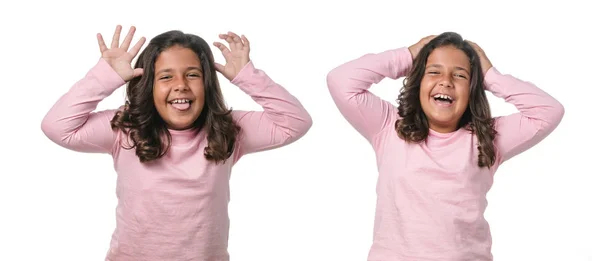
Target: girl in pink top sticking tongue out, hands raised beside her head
174, 142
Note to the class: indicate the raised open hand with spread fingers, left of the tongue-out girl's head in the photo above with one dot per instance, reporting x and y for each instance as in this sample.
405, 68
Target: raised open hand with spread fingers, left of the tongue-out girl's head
118, 57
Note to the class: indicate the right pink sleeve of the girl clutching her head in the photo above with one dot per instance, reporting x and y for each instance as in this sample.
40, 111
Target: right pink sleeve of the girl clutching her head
539, 114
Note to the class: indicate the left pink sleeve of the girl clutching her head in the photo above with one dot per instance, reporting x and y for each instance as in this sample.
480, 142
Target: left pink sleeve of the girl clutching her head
349, 83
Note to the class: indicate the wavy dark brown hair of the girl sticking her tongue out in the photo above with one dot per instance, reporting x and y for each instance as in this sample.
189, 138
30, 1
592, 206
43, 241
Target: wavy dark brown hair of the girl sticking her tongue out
140, 120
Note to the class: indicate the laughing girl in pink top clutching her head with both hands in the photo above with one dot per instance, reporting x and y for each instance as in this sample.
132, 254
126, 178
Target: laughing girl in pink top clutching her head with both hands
437, 152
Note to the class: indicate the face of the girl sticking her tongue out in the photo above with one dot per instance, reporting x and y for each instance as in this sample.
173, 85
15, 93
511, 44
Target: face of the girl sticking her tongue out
178, 87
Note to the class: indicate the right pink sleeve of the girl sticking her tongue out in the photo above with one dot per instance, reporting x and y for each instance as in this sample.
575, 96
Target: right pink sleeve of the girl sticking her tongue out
282, 121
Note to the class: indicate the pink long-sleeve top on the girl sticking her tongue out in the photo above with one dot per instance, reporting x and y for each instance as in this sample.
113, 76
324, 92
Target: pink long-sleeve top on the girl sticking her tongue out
177, 207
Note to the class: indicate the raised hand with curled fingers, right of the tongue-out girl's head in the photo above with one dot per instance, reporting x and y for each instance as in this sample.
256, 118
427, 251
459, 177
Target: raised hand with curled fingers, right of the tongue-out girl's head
236, 56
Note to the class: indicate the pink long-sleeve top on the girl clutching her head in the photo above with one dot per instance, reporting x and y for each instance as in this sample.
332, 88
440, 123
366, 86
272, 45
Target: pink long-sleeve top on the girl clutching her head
431, 197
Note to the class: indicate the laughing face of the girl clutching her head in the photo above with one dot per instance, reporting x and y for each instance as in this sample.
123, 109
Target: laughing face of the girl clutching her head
444, 92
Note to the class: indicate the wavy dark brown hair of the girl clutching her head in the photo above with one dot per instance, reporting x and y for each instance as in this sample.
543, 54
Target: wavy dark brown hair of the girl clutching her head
477, 118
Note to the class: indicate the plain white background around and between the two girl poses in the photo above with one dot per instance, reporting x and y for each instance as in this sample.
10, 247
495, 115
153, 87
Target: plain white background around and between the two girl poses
312, 200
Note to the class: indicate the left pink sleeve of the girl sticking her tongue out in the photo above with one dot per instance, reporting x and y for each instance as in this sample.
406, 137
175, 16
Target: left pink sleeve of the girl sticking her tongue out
71, 123
